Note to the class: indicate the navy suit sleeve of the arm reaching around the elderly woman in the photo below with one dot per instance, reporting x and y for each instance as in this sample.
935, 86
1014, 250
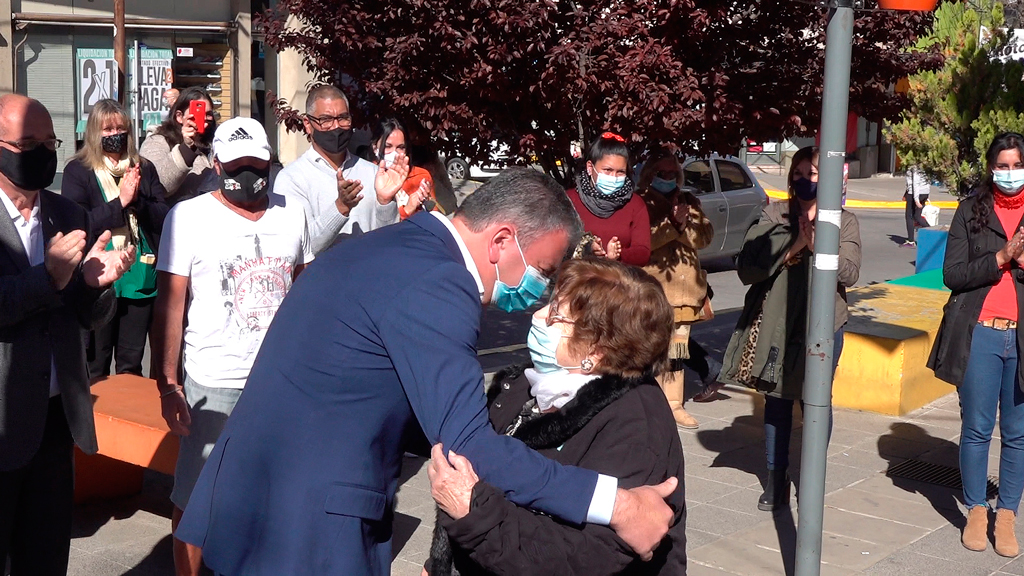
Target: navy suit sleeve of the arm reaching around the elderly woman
445, 385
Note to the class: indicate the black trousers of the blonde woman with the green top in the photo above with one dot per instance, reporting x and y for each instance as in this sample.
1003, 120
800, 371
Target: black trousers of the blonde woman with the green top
125, 336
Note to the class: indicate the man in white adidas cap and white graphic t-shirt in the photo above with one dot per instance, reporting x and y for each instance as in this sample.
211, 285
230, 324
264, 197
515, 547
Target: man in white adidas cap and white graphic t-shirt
235, 252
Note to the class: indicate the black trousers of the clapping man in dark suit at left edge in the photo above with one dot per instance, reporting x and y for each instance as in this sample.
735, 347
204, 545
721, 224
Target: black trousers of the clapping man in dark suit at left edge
36, 504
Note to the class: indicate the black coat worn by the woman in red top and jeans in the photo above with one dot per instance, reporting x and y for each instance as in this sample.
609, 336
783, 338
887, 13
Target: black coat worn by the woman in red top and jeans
970, 271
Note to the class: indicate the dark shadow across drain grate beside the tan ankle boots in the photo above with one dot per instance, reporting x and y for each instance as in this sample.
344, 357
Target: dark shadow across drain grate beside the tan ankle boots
904, 440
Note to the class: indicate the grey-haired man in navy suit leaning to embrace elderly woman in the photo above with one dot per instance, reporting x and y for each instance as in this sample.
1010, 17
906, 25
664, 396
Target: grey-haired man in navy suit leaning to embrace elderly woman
379, 332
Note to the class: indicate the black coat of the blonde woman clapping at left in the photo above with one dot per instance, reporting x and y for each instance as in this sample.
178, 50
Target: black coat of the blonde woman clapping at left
81, 186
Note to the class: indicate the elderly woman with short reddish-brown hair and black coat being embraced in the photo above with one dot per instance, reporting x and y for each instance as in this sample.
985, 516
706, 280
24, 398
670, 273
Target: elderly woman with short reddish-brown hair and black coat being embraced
589, 400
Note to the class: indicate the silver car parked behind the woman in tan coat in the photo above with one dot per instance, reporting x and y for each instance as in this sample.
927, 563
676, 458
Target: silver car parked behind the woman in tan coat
731, 196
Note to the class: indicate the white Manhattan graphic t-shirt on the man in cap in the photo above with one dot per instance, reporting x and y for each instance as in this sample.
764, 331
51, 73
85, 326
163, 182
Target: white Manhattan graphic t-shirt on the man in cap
239, 273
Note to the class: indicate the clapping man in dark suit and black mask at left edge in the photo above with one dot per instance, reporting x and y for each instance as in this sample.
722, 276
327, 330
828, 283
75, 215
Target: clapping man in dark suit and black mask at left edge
52, 292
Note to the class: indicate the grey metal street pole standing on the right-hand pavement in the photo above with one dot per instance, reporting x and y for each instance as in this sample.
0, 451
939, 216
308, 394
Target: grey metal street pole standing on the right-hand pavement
821, 327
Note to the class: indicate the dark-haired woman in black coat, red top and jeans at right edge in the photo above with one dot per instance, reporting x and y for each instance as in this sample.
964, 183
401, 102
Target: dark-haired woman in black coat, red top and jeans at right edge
978, 344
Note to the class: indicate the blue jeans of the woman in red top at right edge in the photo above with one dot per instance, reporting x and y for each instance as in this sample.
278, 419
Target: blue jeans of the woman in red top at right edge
991, 383
